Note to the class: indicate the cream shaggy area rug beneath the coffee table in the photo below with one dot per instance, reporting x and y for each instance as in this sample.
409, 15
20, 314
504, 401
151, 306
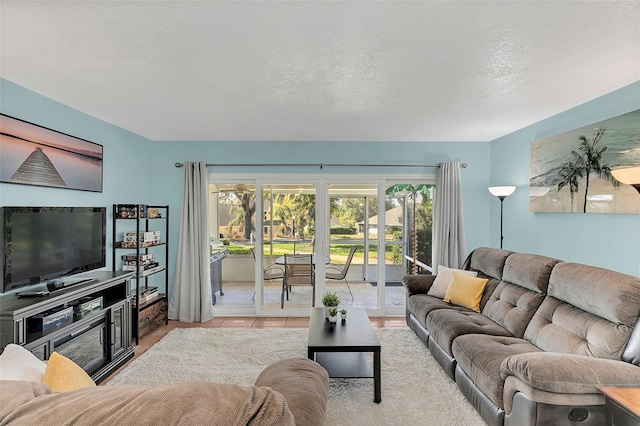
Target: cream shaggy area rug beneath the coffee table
415, 390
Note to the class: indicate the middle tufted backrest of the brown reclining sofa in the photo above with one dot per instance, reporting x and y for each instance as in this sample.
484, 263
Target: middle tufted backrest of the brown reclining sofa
525, 280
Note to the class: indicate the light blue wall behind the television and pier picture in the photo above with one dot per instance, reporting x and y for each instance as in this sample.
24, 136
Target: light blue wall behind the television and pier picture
125, 174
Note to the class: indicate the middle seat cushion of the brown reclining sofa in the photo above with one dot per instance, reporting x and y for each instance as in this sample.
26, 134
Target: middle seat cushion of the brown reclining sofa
445, 325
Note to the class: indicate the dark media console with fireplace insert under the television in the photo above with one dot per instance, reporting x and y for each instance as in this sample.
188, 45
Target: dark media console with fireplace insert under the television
98, 339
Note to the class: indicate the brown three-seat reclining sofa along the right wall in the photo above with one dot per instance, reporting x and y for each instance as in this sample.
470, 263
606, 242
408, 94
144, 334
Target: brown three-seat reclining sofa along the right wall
547, 335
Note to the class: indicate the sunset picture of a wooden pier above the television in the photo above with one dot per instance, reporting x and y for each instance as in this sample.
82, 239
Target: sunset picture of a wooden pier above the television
34, 155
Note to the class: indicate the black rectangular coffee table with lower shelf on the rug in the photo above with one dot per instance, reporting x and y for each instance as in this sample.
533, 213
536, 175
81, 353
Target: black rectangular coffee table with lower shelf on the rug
341, 348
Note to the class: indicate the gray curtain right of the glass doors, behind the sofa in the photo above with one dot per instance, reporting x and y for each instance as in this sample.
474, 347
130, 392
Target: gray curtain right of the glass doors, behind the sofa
448, 224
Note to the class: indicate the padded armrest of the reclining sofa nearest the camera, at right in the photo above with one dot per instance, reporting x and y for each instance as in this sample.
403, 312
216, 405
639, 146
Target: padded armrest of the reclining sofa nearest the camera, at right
568, 373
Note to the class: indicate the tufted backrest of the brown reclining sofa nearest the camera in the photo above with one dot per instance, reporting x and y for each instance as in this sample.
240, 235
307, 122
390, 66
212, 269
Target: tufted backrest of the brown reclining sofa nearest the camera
588, 311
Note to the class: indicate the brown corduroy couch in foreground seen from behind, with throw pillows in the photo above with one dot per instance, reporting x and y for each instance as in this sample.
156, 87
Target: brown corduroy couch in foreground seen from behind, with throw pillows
288, 392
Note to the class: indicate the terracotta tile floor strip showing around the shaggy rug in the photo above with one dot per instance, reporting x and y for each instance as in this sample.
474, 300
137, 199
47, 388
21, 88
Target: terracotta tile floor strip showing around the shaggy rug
243, 322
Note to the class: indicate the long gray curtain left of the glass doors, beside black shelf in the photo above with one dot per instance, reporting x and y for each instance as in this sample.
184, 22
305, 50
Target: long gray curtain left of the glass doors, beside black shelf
191, 292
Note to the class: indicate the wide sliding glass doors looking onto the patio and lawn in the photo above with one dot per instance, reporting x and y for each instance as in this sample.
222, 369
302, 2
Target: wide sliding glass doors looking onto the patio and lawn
357, 232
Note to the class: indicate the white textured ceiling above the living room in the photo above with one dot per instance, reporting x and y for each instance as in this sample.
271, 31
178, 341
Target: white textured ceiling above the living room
321, 70
